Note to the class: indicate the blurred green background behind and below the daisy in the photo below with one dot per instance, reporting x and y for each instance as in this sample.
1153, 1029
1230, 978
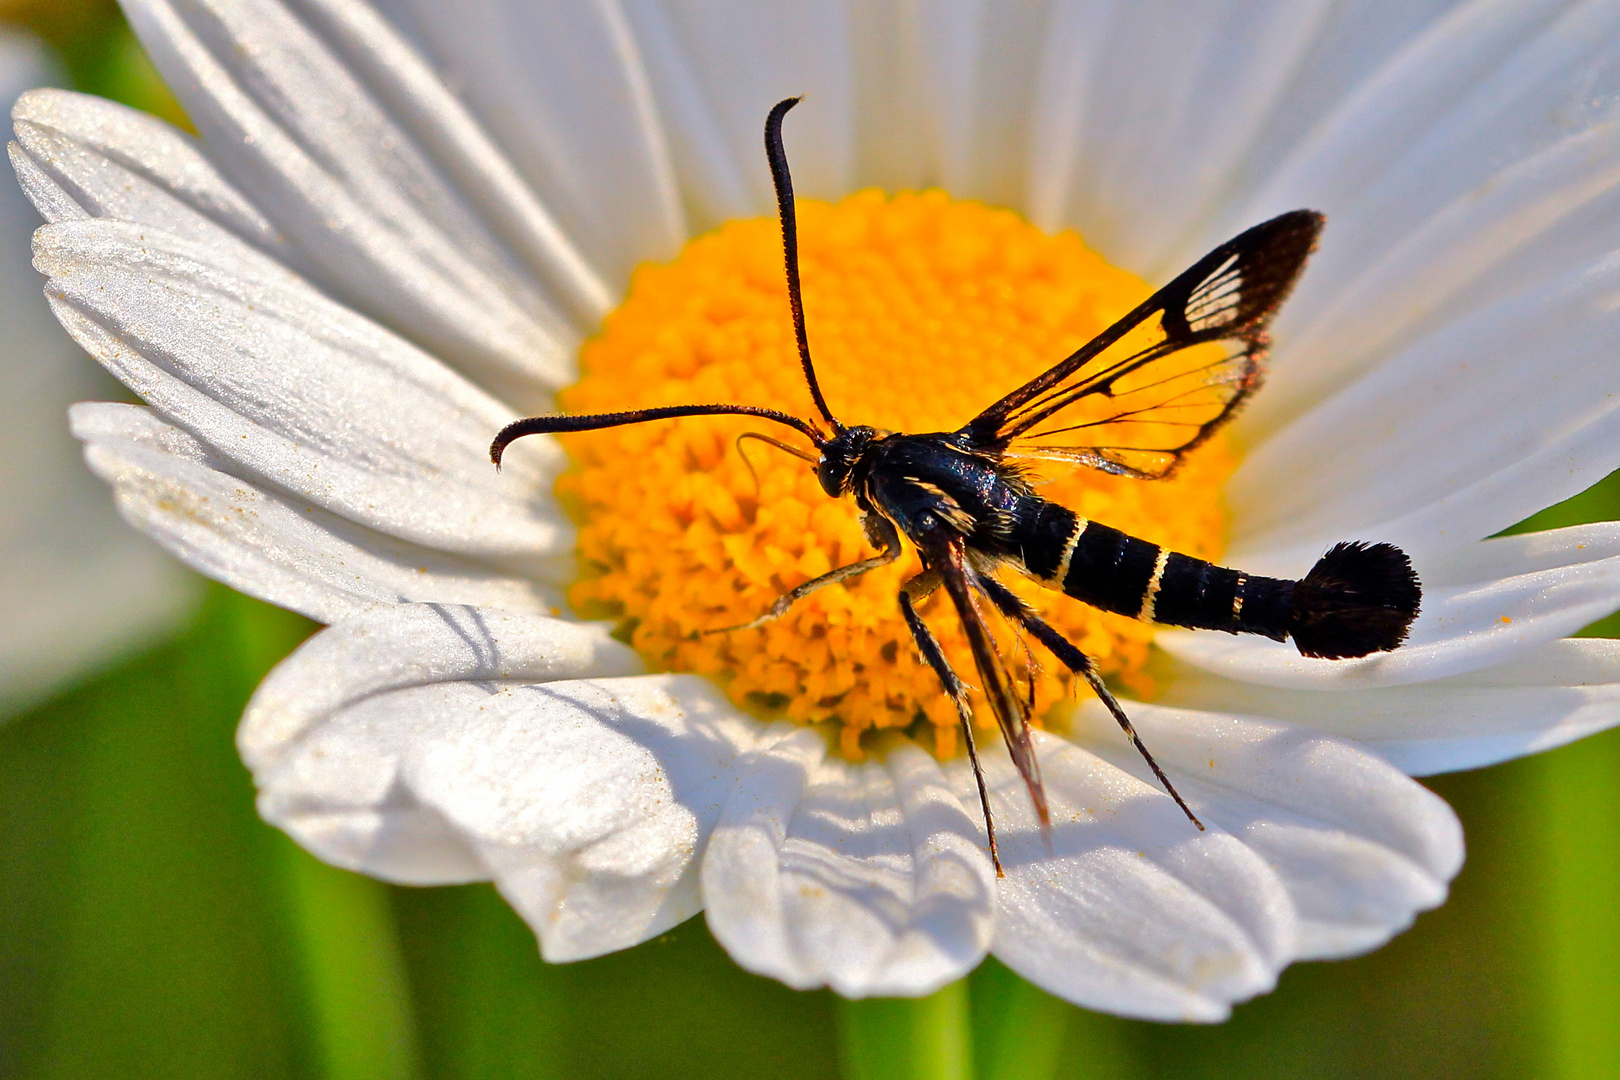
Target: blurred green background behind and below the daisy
153, 927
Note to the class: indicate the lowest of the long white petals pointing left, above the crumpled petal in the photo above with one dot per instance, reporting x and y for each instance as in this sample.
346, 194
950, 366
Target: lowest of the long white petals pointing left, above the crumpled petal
275, 546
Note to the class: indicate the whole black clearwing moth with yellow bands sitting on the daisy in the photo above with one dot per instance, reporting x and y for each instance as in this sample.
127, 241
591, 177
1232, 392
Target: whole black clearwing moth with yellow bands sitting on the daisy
1132, 402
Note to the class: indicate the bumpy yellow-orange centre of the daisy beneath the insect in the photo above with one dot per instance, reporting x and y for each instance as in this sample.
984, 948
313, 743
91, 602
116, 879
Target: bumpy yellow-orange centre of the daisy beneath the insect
921, 313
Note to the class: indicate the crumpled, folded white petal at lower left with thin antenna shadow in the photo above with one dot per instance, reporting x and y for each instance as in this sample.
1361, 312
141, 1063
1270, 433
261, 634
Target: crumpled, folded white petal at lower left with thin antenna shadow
435, 744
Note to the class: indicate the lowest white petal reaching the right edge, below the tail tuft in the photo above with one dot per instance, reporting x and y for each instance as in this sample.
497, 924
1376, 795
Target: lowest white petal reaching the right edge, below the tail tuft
1550, 697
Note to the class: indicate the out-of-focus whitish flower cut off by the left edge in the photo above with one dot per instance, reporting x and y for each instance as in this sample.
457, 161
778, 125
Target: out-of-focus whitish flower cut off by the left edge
77, 587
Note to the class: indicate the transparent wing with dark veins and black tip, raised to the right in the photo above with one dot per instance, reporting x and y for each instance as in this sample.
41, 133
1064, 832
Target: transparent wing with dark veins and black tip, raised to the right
1156, 385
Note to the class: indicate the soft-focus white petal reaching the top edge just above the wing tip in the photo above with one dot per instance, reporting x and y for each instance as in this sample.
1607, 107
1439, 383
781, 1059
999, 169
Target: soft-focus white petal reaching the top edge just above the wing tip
1143, 130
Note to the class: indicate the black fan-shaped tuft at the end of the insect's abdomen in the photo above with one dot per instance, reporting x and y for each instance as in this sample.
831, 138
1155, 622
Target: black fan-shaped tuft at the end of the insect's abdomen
1358, 600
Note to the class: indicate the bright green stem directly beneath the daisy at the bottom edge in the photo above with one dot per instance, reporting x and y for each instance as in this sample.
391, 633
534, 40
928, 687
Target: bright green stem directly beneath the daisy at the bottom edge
908, 1039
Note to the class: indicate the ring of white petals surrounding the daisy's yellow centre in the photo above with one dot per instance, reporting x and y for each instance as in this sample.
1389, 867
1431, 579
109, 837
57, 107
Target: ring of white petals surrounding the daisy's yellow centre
335, 300
